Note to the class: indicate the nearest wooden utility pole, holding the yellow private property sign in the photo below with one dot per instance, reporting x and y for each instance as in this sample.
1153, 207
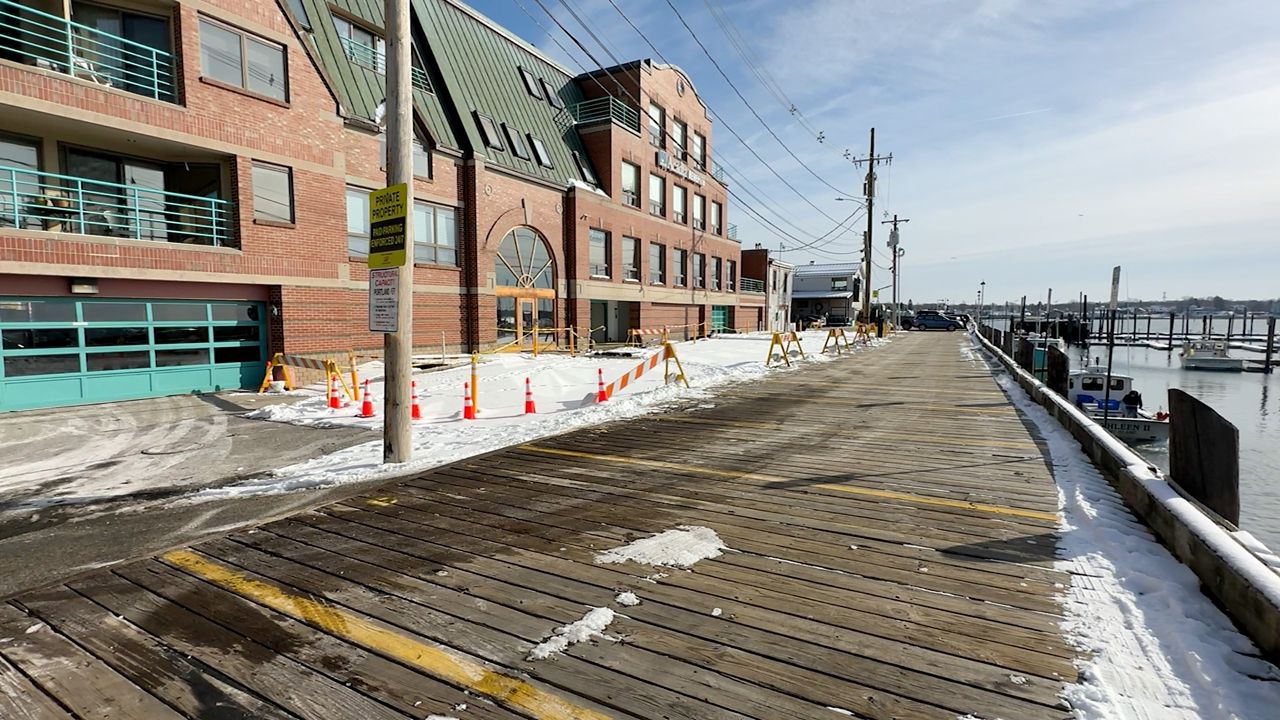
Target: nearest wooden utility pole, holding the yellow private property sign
399, 347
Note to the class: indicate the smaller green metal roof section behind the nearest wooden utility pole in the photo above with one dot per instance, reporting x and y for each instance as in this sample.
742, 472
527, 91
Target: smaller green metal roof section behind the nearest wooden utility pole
359, 88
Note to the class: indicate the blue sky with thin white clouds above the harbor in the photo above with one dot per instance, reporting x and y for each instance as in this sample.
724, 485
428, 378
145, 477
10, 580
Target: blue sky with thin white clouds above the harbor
1036, 143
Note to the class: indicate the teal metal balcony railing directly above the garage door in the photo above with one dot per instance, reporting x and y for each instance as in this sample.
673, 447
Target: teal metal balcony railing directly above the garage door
48, 202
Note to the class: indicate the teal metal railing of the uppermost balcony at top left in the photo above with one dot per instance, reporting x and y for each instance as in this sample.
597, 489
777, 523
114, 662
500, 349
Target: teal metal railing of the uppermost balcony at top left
56, 44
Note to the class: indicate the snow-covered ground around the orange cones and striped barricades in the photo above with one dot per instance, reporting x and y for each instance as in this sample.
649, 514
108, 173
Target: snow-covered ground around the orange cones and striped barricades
564, 391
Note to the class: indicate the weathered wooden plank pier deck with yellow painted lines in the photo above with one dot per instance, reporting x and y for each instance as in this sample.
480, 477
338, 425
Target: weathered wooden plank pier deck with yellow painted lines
892, 525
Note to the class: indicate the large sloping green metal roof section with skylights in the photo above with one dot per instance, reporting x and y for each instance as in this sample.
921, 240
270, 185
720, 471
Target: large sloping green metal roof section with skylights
479, 62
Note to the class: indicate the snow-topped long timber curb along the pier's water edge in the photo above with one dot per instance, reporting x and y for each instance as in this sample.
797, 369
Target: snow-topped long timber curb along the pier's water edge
1238, 581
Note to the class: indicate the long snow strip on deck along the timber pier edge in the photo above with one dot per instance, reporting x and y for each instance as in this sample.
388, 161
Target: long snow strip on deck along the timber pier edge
1155, 646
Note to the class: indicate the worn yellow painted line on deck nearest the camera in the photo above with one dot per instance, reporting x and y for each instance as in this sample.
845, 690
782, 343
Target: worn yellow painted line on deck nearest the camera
436, 662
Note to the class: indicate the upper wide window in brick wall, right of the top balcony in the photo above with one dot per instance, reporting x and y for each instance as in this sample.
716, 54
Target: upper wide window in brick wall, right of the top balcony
244, 61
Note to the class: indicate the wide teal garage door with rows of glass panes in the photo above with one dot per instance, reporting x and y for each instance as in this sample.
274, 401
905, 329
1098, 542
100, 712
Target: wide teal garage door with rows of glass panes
68, 352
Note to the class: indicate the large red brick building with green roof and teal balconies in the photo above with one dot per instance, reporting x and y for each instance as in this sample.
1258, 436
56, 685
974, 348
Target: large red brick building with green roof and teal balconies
184, 190
